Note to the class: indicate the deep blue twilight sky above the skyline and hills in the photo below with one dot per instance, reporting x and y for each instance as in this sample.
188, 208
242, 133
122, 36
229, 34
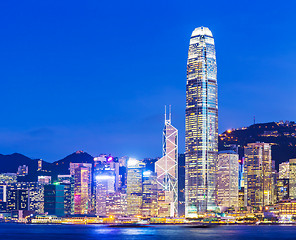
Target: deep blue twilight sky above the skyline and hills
95, 75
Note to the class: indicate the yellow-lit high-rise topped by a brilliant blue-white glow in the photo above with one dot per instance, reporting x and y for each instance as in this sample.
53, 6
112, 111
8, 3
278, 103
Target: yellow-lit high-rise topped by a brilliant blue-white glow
134, 191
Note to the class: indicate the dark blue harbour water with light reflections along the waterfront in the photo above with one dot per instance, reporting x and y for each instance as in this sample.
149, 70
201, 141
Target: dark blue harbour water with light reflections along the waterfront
160, 232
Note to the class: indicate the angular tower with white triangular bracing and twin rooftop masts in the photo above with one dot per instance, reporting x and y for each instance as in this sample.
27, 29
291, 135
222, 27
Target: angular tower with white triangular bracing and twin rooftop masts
167, 166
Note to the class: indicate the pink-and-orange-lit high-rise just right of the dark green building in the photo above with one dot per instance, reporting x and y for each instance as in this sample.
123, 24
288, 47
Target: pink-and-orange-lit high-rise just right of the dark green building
82, 187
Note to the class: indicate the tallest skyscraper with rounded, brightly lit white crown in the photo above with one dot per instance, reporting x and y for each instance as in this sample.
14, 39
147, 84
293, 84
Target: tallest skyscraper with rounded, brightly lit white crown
201, 135
